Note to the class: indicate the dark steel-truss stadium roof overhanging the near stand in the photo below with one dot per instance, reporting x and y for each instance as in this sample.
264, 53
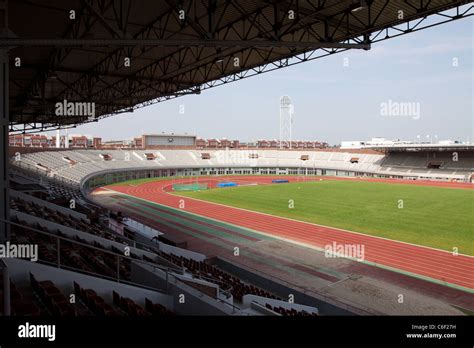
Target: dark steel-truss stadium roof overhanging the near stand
76, 50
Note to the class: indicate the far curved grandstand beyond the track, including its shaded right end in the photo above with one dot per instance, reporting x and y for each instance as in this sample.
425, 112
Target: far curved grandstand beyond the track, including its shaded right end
87, 163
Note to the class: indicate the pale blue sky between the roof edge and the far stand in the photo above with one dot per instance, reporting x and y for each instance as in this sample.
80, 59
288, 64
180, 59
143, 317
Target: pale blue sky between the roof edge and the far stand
332, 103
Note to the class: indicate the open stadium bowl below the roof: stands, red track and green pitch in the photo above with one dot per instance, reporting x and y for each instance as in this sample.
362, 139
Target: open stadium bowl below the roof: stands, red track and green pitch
178, 195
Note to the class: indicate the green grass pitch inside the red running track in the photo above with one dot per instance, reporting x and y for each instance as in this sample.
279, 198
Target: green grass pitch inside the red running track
438, 217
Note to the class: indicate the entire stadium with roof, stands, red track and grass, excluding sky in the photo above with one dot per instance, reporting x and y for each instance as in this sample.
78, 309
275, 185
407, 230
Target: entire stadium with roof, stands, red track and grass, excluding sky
173, 225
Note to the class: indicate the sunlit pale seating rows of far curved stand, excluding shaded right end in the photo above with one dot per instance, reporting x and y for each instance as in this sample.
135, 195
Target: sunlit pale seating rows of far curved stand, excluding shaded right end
91, 161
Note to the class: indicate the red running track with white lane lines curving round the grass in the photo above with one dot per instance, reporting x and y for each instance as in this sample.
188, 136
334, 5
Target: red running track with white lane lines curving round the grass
418, 260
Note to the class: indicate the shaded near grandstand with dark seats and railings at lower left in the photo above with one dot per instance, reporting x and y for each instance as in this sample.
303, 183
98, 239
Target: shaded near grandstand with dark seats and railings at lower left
70, 241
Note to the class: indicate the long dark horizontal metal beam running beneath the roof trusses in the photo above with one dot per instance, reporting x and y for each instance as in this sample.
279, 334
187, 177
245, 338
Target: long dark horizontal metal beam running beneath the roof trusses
18, 42
